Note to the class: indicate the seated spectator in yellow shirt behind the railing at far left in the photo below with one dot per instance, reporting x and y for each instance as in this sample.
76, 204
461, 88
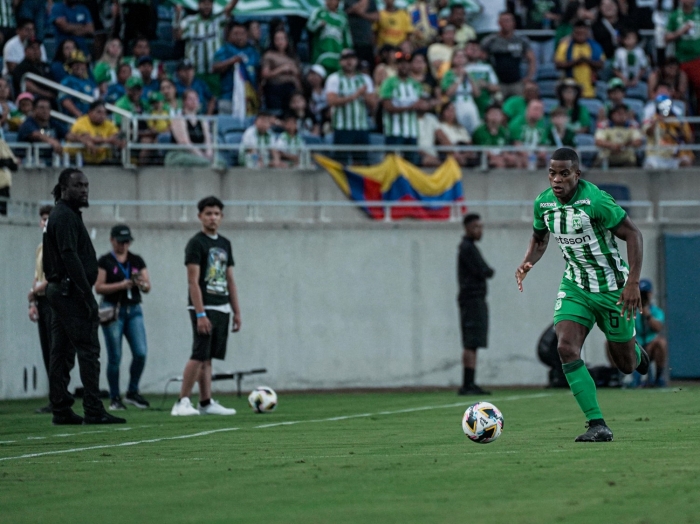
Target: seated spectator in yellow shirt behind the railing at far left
98, 134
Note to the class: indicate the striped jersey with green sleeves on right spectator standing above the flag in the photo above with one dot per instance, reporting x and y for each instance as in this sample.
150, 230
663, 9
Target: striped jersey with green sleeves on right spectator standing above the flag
402, 93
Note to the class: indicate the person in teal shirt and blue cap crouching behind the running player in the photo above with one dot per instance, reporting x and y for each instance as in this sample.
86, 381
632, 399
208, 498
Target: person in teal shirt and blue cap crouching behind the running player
648, 325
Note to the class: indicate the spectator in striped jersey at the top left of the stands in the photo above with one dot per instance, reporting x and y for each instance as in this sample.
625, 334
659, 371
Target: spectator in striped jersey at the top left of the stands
203, 35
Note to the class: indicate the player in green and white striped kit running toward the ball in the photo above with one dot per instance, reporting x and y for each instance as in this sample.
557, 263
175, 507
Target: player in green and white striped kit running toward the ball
598, 286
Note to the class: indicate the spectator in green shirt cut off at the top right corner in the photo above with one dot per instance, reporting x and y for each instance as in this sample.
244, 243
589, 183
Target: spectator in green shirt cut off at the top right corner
684, 29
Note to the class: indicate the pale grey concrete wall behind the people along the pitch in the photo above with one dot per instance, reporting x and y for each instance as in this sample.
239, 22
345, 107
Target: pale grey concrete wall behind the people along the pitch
322, 306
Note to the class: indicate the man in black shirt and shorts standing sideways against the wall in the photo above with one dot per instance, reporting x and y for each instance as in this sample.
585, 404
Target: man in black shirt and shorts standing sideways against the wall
472, 272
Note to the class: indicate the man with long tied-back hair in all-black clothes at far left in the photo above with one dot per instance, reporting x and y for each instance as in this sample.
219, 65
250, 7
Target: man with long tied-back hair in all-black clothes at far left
70, 265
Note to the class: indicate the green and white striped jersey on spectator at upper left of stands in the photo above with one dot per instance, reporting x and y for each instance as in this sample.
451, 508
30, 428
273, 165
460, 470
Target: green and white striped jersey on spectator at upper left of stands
202, 38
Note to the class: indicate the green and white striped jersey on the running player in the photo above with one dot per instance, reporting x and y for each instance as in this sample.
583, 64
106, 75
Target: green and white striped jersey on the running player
582, 229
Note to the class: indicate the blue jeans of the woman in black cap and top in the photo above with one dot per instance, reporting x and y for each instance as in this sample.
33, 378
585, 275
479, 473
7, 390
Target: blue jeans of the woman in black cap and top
129, 324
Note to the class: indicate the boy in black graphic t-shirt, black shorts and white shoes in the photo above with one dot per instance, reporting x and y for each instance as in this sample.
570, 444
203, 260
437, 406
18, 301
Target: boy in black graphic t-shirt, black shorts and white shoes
212, 297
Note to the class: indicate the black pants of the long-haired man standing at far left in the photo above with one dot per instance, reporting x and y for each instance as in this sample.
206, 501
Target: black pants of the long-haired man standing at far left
73, 331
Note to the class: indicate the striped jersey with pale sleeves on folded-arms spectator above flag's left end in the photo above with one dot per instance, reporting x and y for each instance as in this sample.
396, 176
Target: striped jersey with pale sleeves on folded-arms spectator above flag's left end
353, 115
